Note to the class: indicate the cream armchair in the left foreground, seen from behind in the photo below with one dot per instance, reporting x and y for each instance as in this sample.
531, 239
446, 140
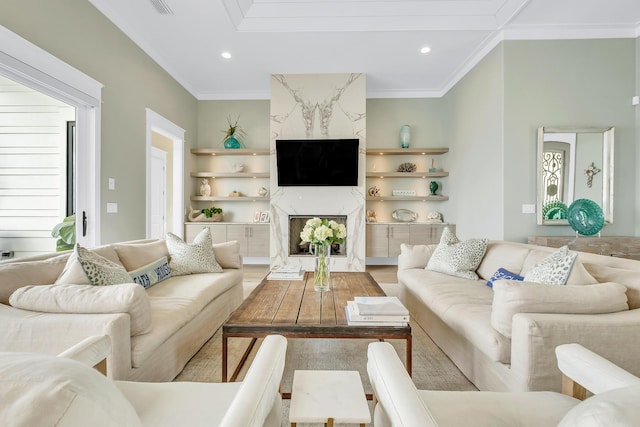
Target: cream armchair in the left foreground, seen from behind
43, 390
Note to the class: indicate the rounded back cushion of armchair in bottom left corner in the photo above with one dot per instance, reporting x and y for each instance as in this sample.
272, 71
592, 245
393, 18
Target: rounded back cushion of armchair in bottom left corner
42, 390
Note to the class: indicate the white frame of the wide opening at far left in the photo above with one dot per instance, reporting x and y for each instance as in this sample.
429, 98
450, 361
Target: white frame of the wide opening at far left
26, 63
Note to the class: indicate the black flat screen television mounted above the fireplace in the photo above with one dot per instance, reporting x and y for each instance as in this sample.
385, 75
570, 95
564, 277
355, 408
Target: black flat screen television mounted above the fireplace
317, 162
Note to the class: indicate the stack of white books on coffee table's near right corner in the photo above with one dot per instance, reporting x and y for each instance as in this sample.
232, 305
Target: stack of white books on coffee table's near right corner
377, 311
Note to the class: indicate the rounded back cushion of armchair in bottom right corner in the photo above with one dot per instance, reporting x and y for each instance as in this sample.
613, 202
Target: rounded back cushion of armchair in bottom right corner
615, 408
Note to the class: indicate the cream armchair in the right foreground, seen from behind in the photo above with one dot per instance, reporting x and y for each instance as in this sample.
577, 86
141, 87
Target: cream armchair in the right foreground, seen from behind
400, 403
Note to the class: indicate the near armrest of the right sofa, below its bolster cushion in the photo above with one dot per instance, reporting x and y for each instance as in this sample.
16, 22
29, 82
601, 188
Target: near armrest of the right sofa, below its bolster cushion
614, 336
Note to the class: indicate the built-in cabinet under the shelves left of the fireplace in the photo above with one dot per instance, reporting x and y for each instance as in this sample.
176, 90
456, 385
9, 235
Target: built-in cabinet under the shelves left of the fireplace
252, 238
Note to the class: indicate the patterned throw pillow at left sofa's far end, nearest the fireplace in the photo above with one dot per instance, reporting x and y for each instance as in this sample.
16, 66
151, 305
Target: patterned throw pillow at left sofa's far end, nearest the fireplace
191, 258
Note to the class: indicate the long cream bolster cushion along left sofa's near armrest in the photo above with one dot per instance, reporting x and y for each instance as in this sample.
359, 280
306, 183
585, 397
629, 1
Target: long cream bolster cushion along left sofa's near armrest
123, 298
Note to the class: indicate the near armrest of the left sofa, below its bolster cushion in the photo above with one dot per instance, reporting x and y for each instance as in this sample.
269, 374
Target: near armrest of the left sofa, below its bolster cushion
52, 333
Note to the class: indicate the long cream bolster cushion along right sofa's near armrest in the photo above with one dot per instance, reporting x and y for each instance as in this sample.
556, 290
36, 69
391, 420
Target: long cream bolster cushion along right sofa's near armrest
511, 297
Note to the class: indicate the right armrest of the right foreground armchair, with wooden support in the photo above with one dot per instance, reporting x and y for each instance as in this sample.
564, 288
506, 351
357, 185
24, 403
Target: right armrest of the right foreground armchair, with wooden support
584, 370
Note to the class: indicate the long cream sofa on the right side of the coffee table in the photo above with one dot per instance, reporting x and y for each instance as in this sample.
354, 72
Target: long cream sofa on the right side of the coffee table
460, 314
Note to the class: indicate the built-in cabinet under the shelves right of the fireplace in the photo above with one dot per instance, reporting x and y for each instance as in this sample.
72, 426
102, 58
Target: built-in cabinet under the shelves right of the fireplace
384, 239
